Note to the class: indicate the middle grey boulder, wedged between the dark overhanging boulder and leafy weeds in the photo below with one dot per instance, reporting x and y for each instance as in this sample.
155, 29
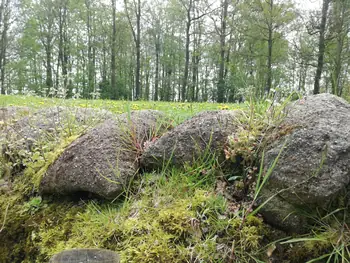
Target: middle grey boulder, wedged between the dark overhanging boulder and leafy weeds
205, 133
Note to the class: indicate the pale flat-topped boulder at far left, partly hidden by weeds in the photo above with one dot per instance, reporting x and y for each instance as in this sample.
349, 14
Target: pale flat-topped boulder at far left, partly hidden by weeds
19, 137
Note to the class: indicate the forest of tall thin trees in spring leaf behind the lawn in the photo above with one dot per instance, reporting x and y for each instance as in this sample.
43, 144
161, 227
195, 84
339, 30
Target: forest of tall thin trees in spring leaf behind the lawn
173, 50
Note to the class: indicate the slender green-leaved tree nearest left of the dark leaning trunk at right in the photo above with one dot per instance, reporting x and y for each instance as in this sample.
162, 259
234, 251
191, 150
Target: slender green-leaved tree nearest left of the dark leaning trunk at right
266, 29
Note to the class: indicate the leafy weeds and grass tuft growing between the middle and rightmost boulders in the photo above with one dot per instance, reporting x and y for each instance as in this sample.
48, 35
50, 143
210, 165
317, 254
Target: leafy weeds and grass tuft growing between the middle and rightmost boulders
247, 143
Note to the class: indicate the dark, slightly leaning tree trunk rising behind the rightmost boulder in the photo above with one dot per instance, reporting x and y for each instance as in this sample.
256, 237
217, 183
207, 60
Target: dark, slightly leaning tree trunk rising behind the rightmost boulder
321, 46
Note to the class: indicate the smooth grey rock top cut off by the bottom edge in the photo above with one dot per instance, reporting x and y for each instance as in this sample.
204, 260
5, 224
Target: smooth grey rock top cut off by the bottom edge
86, 256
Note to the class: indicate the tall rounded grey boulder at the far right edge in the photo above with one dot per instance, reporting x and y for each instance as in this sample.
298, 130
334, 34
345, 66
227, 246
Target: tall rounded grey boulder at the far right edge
313, 169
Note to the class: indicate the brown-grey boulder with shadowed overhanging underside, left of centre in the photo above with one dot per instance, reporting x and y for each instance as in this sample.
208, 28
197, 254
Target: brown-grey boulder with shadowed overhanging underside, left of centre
105, 159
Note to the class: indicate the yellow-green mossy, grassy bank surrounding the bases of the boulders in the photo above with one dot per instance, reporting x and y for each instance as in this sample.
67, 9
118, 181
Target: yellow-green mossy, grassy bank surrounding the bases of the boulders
187, 214
